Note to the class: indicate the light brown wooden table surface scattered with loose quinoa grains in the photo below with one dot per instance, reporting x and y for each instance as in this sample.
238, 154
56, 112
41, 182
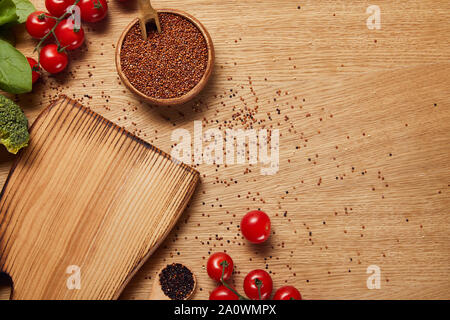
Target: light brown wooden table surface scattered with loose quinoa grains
364, 119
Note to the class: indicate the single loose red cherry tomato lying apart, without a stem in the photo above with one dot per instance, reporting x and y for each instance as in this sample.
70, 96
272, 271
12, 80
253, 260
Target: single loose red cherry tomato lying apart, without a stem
255, 226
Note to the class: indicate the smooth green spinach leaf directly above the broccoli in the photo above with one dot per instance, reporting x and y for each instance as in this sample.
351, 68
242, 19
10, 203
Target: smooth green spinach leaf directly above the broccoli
15, 71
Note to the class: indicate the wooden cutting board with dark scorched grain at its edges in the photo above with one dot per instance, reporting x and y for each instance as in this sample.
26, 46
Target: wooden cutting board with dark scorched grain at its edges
84, 206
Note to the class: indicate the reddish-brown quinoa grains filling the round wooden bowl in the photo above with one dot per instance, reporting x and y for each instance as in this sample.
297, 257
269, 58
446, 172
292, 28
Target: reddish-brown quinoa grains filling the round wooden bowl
168, 64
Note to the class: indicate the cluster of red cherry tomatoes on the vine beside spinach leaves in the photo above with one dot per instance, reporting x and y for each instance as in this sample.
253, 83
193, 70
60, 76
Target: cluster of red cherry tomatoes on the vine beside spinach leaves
59, 24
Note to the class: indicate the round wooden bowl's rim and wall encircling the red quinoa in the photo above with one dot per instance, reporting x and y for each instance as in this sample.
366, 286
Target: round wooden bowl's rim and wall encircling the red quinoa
194, 91
